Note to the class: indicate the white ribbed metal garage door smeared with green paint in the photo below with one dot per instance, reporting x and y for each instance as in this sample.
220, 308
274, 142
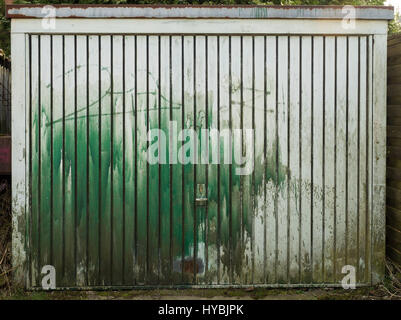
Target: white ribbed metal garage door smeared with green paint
104, 216
